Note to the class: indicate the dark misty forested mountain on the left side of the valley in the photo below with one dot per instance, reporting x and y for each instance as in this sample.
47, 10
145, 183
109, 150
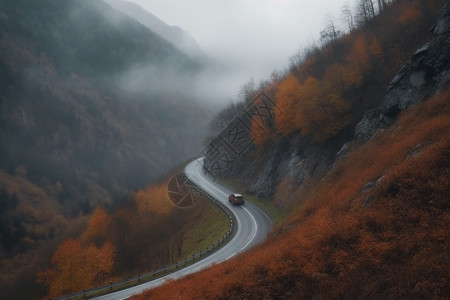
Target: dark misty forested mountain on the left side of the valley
93, 106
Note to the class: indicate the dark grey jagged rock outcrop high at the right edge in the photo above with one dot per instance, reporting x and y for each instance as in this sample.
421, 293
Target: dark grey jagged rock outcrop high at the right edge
425, 75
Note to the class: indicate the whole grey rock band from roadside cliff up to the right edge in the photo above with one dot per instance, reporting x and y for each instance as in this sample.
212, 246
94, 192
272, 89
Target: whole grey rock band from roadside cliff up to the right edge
299, 159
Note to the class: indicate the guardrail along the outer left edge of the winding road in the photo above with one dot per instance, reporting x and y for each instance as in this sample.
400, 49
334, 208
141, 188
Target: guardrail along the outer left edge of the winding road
147, 277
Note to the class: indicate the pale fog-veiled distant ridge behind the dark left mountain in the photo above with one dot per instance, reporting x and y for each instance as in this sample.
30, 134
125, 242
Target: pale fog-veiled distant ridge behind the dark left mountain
173, 34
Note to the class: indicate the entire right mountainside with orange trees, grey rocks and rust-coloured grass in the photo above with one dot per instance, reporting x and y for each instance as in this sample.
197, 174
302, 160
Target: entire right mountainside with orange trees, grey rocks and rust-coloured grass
365, 190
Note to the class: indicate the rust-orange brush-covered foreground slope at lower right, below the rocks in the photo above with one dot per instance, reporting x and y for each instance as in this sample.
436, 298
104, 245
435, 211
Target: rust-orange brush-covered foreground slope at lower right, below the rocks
387, 242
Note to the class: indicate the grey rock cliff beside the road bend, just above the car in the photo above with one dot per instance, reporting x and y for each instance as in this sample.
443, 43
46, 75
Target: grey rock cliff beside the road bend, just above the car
232, 153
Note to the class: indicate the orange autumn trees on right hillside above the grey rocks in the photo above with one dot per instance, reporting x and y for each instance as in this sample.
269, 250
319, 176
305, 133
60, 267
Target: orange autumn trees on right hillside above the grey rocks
328, 88
